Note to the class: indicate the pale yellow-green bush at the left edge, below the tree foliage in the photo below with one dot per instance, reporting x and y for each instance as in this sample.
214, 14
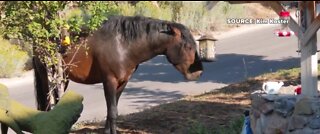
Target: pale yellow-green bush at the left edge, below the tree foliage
12, 59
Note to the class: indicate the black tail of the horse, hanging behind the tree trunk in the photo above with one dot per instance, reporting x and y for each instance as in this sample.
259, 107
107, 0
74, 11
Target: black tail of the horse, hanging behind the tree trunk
41, 85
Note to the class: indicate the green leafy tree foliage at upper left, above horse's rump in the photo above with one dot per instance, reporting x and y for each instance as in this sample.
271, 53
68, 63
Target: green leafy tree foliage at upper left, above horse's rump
42, 22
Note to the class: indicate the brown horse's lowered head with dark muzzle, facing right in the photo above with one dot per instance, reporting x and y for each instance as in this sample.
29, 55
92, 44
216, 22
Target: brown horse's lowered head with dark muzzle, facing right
181, 51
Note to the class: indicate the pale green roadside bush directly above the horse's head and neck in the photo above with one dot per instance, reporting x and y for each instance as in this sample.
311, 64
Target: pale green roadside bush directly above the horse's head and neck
196, 17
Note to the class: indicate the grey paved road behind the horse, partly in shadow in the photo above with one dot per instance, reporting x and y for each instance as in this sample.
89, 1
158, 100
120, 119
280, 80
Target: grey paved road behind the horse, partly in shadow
156, 81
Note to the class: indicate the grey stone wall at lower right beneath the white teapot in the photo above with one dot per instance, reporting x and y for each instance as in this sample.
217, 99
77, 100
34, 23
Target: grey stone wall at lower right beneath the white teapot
284, 114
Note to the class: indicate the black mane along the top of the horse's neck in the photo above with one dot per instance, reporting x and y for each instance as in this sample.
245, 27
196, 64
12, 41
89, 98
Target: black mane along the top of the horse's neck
133, 27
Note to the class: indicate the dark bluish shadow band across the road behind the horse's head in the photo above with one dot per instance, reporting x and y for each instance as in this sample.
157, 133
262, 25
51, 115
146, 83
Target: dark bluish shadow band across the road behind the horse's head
229, 68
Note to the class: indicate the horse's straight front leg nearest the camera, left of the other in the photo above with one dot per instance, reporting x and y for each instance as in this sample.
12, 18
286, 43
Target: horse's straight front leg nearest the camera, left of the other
110, 93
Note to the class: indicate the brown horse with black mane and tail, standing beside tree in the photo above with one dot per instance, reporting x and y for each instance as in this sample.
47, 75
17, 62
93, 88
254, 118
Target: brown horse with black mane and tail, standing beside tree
116, 50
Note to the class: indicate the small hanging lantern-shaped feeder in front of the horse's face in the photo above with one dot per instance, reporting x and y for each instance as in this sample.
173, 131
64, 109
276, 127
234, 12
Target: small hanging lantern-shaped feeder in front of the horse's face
207, 48
